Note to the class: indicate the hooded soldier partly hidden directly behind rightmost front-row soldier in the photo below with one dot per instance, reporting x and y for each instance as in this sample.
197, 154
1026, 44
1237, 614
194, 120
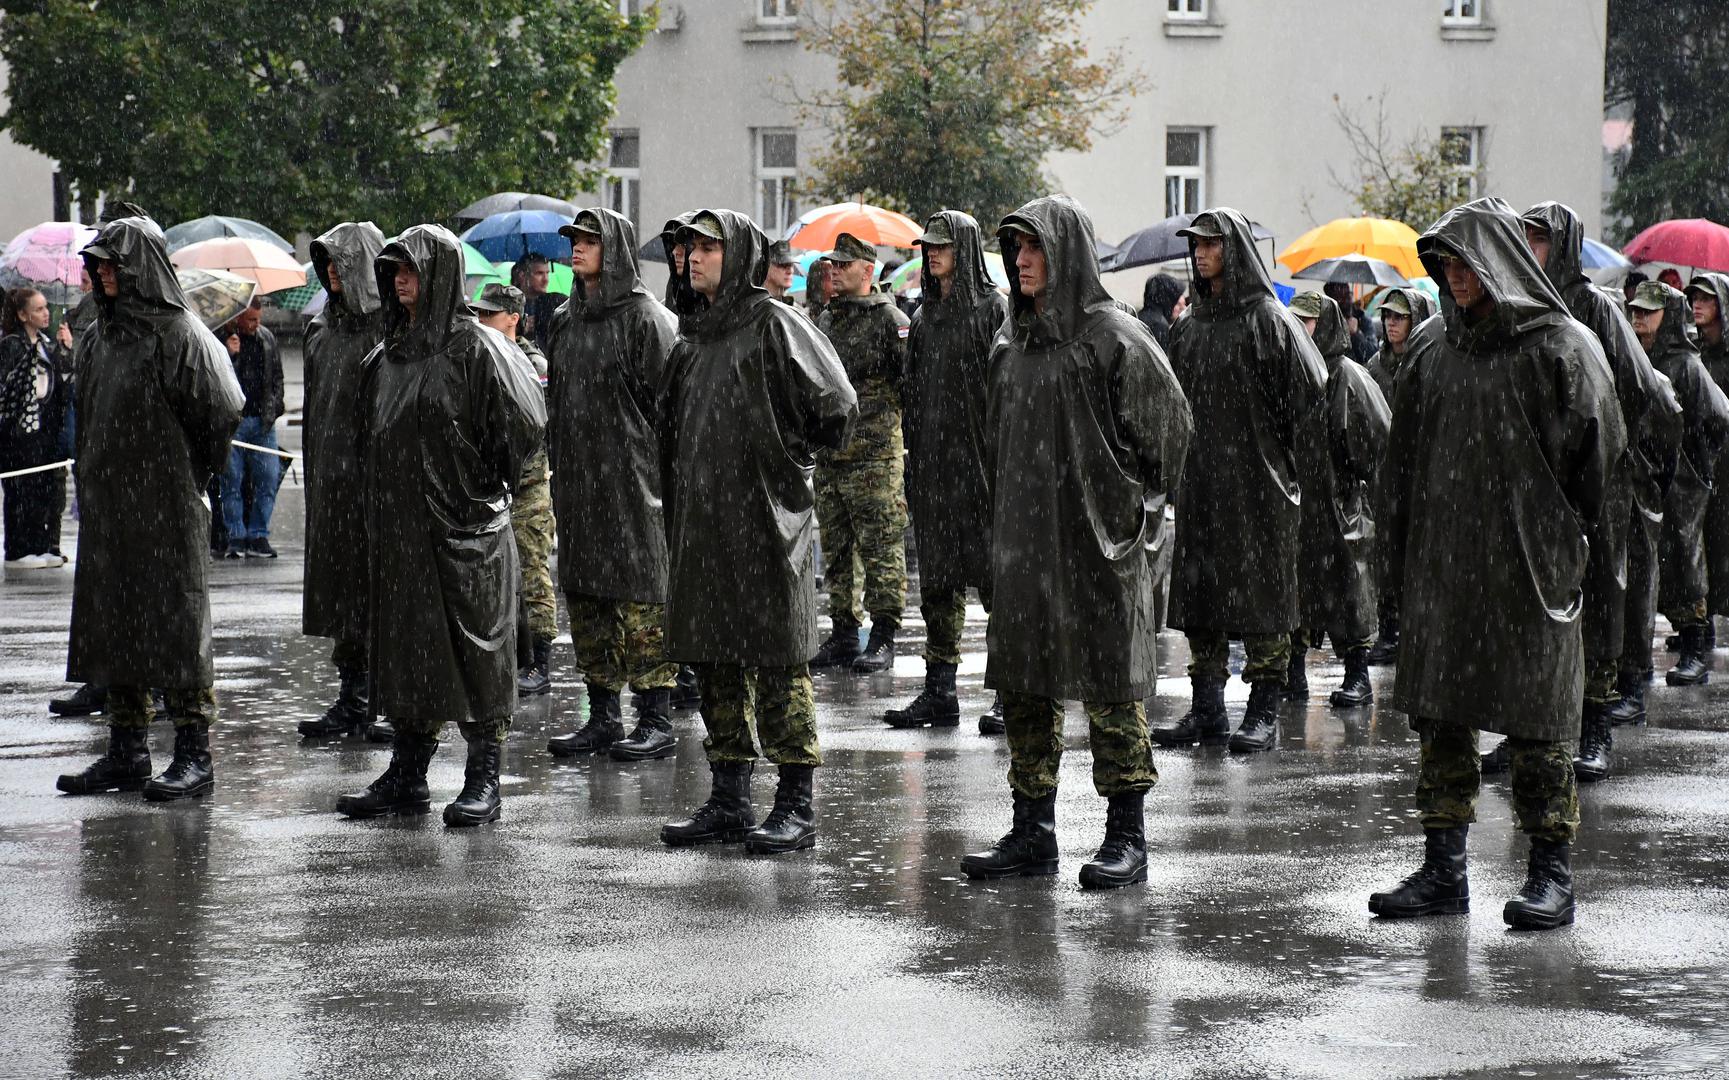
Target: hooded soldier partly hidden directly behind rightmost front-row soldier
1621, 578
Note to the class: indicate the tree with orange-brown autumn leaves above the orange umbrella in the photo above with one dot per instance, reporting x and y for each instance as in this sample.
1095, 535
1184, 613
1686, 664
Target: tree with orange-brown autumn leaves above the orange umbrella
957, 103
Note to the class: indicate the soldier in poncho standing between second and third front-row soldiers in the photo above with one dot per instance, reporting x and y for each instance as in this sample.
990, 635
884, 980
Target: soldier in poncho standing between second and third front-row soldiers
609, 350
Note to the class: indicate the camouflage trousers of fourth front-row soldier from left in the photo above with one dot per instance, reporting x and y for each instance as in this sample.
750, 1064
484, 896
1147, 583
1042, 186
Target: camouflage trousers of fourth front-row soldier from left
1123, 756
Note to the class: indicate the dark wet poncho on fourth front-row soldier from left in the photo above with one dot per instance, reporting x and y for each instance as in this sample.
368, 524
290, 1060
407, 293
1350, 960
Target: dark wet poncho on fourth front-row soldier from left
1085, 422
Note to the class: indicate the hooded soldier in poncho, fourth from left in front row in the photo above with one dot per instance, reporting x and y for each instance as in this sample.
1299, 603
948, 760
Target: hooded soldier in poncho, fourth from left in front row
1085, 422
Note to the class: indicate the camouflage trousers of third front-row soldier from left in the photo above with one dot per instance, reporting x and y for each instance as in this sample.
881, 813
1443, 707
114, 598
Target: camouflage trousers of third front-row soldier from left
774, 704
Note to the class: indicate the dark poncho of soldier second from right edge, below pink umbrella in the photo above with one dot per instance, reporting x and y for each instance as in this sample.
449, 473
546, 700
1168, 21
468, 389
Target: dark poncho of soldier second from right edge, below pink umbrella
1706, 429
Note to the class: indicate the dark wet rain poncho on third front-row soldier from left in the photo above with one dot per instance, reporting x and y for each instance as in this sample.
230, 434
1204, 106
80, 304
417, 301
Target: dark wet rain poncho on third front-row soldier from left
753, 391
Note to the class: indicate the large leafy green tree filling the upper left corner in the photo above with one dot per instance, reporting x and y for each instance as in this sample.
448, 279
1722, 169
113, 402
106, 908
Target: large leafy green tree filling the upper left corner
310, 111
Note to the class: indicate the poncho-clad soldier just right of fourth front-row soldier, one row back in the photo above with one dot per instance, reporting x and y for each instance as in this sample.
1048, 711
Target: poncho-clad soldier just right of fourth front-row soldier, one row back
1254, 381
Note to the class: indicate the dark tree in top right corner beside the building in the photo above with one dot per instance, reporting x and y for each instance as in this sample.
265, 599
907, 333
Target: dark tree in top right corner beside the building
1666, 65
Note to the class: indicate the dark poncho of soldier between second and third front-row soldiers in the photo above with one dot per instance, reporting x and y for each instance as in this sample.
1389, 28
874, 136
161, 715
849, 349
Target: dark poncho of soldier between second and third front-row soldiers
608, 359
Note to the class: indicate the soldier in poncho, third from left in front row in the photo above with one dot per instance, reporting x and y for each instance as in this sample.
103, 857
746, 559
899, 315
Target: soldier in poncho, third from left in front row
751, 393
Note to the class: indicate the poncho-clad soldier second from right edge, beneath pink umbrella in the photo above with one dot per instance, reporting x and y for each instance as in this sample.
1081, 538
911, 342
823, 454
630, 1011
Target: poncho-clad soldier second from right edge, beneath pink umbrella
1662, 317
